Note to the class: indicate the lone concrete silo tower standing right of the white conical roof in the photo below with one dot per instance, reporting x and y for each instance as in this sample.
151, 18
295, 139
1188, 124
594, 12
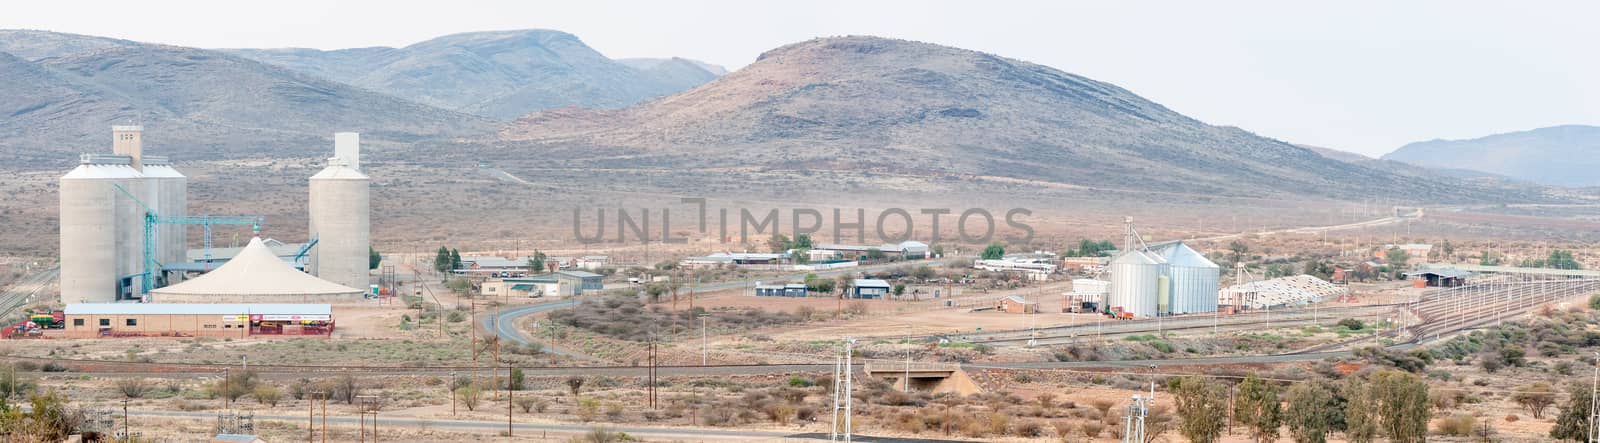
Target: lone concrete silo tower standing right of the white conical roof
340, 217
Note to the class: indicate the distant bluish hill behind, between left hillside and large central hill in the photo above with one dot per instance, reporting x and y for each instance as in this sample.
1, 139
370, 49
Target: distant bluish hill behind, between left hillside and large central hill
500, 74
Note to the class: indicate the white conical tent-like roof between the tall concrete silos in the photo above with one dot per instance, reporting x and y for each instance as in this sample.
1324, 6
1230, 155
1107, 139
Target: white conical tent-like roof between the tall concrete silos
257, 271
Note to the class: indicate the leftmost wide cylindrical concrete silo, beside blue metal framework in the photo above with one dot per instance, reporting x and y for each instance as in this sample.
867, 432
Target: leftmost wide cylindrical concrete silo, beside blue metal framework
95, 229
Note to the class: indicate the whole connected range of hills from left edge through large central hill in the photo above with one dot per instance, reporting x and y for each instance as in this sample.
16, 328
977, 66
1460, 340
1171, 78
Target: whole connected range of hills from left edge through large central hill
842, 106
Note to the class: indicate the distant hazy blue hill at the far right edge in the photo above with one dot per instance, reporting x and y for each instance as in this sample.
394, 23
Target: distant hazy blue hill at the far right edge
1558, 156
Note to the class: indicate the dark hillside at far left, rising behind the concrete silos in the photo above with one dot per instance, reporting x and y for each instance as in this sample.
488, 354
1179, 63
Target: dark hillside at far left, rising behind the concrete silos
198, 105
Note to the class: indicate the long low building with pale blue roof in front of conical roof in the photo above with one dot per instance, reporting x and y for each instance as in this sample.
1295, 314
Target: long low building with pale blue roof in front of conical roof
198, 321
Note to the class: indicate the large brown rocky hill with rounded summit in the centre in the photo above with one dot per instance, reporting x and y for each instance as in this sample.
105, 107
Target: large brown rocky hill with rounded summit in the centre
903, 108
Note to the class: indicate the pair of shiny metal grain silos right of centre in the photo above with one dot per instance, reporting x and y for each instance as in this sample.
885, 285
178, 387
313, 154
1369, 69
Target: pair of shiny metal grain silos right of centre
1164, 279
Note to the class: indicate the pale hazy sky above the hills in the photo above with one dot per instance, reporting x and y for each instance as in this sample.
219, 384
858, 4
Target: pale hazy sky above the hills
1354, 76
